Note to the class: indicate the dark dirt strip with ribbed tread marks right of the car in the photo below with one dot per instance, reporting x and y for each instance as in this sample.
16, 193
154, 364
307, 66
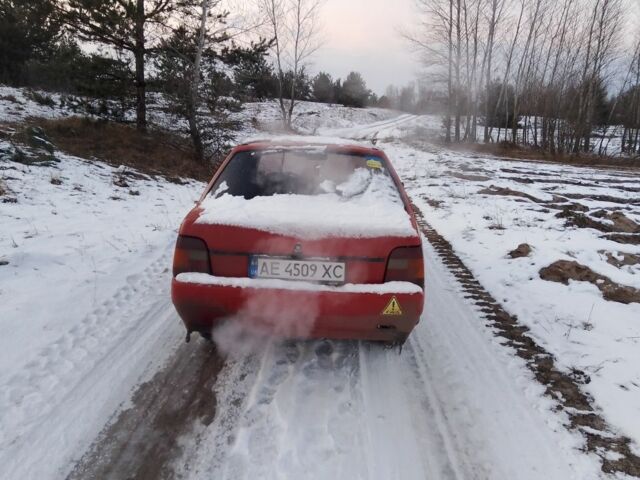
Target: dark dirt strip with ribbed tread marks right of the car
614, 450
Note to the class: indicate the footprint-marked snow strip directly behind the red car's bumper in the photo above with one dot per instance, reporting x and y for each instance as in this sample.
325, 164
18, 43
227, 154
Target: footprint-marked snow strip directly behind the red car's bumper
322, 409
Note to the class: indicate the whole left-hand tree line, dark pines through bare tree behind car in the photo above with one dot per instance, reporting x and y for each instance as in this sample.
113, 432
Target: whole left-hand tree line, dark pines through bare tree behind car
202, 57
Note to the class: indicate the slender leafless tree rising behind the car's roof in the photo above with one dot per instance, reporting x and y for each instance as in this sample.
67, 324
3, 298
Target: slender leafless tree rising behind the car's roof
294, 27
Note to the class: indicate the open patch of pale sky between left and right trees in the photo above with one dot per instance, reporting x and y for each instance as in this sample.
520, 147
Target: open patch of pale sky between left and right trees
362, 35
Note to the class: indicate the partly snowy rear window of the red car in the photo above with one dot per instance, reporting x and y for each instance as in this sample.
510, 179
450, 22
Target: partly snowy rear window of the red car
300, 171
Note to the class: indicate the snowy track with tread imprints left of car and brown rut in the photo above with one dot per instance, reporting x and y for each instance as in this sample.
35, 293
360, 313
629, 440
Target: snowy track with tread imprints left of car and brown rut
79, 378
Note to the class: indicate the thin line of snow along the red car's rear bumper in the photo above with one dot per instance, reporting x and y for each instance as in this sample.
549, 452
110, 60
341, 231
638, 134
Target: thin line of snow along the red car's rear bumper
276, 284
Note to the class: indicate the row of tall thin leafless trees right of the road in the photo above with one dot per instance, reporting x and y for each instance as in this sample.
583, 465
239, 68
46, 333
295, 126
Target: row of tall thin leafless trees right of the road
556, 74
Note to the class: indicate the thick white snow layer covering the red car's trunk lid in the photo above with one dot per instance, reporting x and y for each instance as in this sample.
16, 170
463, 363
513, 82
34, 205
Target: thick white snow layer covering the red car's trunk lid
366, 206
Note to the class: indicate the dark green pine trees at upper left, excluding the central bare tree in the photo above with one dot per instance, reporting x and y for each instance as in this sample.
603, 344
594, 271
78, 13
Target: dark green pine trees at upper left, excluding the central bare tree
115, 52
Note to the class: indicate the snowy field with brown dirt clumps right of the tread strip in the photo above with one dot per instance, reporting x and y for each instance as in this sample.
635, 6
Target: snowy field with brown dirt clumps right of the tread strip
584, 331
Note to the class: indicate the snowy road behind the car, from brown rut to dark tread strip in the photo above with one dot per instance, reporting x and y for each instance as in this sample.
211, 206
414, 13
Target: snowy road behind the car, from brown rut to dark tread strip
453, 405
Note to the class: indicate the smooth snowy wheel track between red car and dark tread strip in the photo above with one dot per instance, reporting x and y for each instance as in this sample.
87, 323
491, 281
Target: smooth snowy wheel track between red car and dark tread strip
483, 399
